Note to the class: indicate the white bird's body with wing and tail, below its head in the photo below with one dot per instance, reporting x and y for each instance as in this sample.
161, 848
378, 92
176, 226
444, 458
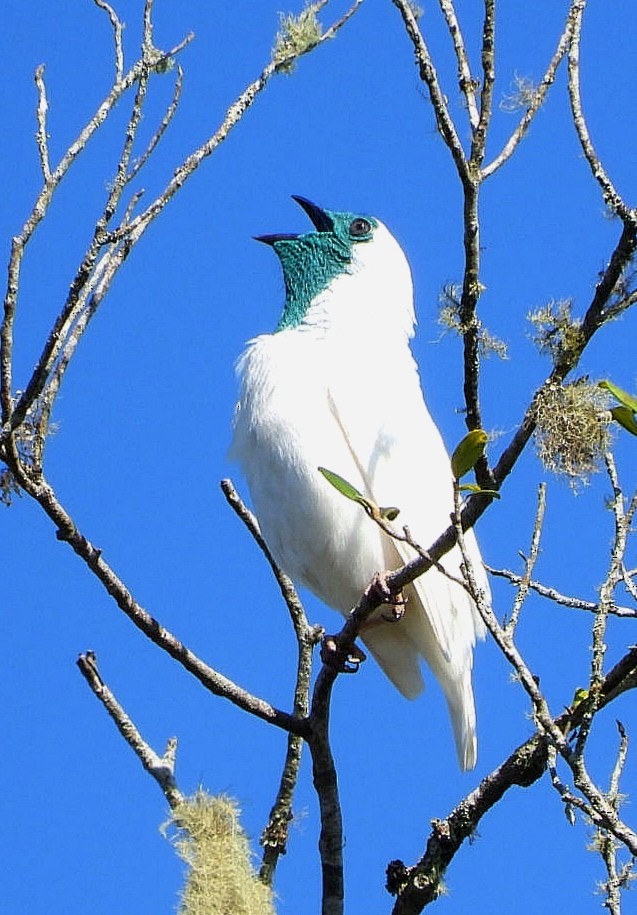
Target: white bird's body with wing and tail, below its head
369, 424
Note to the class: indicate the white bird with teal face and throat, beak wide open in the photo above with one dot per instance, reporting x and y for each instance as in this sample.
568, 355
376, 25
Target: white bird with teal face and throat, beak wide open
336, 386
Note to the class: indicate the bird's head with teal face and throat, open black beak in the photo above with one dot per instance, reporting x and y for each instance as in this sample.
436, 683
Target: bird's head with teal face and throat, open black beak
350, 262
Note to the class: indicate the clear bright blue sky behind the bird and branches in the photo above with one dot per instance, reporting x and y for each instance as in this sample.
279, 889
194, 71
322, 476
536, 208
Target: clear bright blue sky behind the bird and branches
143, 429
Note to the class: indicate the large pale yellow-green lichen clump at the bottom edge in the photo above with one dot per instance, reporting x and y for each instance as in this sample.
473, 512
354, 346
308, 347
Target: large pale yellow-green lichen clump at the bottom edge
221, 878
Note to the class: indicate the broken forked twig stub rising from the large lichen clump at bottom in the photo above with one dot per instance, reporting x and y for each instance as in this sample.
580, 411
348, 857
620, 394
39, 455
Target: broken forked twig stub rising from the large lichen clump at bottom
161, 768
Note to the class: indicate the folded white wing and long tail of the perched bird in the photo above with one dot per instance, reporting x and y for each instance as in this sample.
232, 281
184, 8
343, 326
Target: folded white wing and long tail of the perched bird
403, 462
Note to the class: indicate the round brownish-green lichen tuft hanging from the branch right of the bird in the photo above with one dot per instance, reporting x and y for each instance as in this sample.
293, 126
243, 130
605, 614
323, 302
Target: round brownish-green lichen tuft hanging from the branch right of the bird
573, 429
